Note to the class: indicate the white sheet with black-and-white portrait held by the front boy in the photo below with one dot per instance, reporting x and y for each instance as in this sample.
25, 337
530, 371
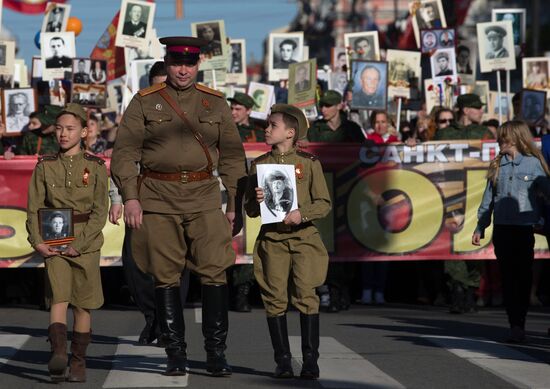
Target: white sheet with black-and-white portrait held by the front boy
280, 192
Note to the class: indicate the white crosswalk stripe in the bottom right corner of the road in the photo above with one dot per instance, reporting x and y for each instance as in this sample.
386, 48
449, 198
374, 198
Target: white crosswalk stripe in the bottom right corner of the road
507, 363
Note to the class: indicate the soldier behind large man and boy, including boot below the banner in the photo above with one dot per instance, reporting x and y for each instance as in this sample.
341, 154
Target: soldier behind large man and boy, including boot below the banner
242, 276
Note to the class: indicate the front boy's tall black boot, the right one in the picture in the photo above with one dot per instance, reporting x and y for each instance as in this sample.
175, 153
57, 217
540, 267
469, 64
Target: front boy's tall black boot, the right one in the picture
309, 325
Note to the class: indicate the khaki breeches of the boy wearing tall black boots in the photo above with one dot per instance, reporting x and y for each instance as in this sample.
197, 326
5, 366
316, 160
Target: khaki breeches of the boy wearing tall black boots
302, 263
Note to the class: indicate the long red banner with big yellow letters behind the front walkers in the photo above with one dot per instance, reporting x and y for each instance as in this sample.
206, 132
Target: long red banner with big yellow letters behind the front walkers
389, 203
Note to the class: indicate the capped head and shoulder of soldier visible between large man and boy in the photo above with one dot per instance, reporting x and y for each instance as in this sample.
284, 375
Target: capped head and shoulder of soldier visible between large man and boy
241, 107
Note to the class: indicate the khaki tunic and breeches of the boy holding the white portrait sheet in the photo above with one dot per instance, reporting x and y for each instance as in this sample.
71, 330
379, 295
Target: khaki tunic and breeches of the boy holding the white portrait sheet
281, 249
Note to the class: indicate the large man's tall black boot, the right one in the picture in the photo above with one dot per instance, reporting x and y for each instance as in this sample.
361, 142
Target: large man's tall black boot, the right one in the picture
214, 328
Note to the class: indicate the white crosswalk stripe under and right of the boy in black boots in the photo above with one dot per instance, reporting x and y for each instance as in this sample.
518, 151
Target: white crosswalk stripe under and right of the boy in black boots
342, 368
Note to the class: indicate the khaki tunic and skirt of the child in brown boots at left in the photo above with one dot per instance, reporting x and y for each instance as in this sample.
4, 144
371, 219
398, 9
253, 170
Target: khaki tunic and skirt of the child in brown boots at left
79, 182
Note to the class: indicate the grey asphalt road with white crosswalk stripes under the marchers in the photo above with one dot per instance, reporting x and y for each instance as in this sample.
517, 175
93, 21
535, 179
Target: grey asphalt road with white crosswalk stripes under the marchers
394, 346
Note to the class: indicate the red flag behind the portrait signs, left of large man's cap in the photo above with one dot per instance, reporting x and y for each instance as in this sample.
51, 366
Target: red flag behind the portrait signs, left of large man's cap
105, 49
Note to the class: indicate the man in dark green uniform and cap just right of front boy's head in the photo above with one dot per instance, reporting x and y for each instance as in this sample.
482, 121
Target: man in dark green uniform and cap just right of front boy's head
334, 127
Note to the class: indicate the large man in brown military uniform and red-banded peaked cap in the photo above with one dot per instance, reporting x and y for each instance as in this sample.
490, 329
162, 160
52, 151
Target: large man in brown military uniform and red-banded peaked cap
180, 132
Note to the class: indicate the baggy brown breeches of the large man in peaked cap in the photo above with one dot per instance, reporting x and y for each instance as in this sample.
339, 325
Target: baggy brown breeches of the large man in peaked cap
166, 244
